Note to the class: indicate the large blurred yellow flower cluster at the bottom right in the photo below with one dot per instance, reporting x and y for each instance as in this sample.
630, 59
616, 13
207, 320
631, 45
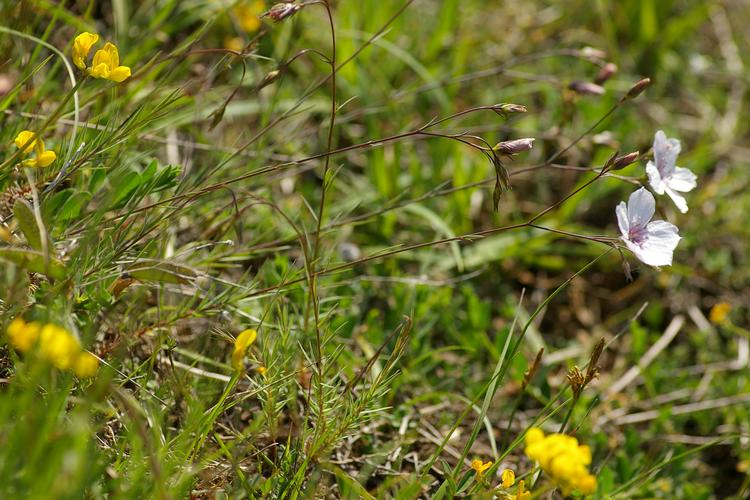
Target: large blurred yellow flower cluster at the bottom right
563, 459
